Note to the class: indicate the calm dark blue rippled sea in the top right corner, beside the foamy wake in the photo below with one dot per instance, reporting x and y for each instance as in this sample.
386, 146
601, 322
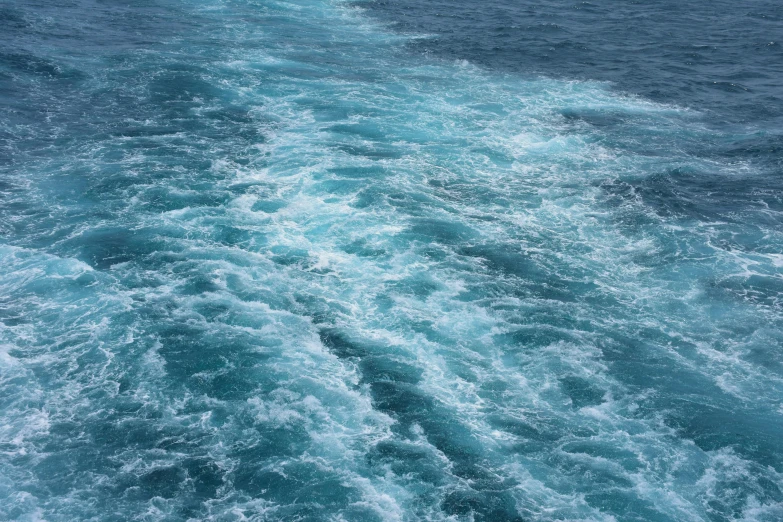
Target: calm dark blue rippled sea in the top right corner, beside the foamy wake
704, 55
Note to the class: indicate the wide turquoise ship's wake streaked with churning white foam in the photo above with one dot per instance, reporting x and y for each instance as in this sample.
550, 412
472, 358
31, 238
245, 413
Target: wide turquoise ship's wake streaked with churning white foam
399, 291
